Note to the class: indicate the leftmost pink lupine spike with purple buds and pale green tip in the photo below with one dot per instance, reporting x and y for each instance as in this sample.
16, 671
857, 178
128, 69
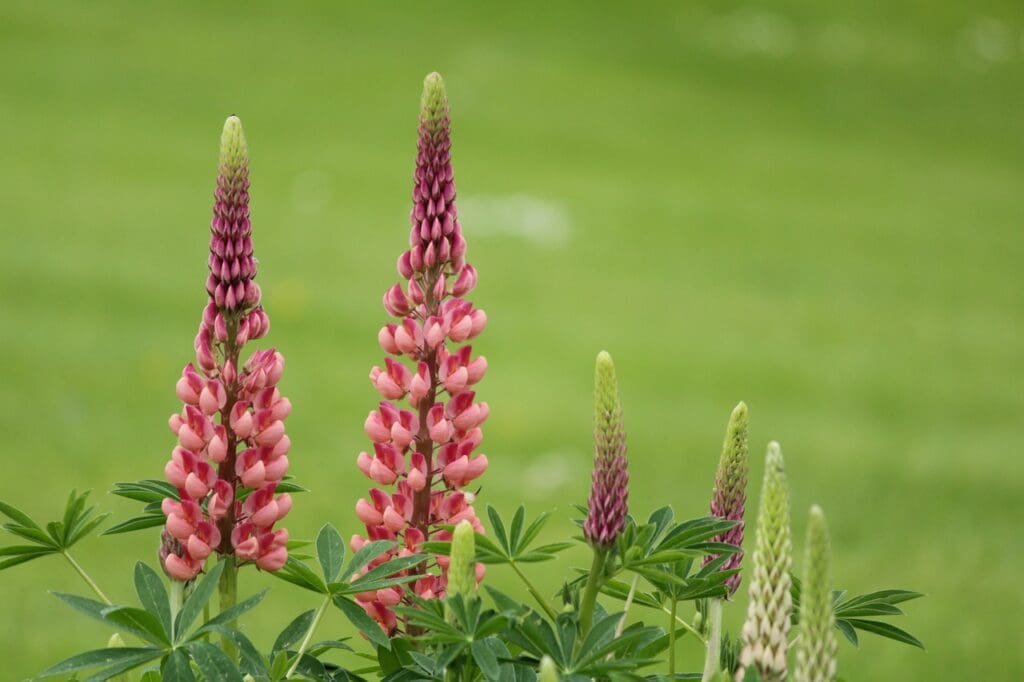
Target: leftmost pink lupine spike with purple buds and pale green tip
231, 432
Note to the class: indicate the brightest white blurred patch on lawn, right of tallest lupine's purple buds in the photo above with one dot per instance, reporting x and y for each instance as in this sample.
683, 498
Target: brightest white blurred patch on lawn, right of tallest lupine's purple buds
537, 221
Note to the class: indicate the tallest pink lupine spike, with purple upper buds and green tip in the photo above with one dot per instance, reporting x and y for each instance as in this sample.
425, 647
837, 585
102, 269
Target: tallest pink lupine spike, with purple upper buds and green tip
425, 454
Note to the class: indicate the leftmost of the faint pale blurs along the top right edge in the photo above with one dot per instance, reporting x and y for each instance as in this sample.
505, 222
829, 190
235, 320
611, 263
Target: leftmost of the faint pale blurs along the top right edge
751, 31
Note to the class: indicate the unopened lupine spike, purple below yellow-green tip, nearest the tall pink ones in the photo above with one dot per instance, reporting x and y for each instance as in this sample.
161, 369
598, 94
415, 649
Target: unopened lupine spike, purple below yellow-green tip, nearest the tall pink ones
607, 507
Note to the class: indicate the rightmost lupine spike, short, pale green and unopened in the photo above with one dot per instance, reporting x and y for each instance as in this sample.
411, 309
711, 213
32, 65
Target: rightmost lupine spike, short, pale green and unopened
817, 653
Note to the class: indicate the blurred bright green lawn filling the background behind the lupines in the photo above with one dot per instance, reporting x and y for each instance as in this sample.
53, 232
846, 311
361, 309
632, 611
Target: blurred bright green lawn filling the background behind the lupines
814, 207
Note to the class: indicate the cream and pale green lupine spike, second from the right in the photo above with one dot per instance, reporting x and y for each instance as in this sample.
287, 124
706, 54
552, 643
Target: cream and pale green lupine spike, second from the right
767, 626
